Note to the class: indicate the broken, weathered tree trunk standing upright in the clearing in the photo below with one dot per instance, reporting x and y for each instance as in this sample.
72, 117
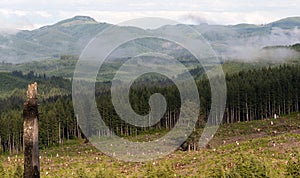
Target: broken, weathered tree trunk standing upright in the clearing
31, 130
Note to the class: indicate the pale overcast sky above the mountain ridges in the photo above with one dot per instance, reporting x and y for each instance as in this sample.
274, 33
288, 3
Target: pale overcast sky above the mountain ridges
31, 14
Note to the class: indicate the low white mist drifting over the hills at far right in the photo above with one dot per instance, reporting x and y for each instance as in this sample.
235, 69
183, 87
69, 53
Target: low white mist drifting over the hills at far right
250, 48
